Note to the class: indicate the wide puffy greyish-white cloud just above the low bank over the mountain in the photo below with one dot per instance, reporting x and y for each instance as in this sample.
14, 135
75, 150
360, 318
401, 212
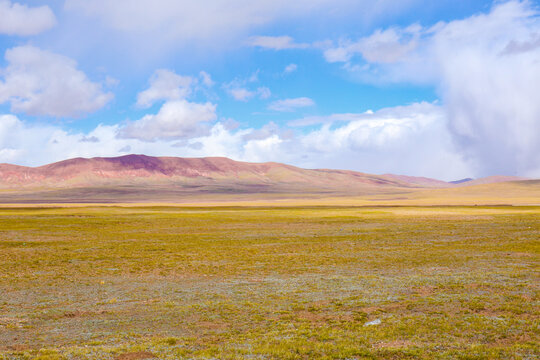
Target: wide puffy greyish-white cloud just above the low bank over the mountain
175, 120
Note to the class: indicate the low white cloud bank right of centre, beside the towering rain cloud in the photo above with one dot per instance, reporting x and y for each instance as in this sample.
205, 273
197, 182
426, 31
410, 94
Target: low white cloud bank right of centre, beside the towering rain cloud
411, 140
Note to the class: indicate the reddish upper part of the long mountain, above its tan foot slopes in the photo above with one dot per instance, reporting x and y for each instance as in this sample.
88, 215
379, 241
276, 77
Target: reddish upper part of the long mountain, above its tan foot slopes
147, 169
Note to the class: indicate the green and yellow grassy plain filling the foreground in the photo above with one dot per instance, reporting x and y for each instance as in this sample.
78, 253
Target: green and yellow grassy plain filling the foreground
270, 283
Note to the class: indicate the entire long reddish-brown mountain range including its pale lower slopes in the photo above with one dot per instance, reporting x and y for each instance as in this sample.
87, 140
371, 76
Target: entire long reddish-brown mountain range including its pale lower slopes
140, 177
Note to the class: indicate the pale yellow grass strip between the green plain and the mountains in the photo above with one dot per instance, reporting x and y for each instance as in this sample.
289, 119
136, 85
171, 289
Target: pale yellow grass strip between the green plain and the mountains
525, 192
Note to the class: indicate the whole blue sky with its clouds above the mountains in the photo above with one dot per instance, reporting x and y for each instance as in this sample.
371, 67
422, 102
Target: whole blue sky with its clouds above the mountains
445, 89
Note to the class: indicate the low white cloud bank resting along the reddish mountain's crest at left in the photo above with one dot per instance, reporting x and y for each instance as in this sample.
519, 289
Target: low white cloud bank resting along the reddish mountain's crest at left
29, 144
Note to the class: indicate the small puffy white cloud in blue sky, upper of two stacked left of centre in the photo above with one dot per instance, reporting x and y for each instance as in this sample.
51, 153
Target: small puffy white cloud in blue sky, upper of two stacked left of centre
165, 85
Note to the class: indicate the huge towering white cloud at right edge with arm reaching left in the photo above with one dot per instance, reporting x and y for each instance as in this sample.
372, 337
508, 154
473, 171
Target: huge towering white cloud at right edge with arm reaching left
486, 69
